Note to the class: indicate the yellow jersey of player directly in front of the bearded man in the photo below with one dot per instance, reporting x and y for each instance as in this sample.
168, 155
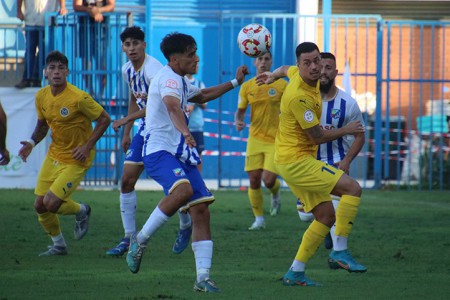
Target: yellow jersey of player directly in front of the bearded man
301, 108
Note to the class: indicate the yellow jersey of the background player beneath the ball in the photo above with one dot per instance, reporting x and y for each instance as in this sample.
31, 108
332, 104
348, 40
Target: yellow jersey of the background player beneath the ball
265, 107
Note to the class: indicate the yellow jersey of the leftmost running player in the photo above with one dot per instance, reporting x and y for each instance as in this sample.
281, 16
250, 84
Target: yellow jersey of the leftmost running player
69, 116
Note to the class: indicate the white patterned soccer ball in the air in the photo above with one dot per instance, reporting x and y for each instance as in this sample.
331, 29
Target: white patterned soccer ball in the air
254, 40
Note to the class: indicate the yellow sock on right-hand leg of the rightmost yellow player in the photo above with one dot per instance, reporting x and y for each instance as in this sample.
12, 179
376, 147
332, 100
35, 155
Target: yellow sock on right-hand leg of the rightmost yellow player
346, 214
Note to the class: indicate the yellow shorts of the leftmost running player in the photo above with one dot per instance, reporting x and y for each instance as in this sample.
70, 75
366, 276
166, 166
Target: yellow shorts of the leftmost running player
61, 179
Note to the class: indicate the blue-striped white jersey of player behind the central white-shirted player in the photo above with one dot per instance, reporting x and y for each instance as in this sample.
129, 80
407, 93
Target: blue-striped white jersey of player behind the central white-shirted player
139, 82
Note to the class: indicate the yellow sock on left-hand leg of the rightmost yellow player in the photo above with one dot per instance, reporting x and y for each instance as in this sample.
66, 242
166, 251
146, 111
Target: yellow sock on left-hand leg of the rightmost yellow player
312, 239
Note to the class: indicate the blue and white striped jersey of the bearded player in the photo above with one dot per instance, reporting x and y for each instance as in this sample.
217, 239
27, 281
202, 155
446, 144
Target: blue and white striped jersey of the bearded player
337, 113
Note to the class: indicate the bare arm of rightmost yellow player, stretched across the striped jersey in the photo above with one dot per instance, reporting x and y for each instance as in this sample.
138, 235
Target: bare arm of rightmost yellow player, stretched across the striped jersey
320, 136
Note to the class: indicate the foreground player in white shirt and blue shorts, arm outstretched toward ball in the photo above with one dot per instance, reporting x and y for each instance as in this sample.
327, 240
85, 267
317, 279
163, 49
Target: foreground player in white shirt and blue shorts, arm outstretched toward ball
170, 157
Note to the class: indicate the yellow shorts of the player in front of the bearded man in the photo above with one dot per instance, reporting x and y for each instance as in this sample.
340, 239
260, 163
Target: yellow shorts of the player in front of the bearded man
310, 180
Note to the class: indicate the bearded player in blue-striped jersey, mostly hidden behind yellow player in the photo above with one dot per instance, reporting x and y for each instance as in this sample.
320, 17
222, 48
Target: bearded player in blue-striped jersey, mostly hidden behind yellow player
338, 109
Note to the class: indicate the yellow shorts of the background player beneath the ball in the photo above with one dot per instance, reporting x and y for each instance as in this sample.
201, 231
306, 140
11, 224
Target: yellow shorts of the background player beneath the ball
259, 155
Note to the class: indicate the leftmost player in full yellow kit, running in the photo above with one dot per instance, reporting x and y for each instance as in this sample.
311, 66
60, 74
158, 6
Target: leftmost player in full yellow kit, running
69, 113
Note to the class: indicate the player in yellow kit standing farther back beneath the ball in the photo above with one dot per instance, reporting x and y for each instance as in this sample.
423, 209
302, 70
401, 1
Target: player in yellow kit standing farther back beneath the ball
265, 109
